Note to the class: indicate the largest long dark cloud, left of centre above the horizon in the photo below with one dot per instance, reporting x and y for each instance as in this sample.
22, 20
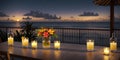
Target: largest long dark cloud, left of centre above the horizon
41, 15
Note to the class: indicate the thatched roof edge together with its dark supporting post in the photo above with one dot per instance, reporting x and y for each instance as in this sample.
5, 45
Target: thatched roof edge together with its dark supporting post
110, 3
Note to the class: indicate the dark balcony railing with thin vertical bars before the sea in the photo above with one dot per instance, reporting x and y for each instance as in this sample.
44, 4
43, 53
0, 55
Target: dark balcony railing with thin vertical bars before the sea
79, 36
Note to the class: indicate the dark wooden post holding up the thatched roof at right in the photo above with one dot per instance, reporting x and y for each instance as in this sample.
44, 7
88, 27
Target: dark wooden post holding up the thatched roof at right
111, 17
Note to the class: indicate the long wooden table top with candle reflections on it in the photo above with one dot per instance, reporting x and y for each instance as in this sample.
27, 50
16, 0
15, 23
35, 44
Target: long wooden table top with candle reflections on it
66, 52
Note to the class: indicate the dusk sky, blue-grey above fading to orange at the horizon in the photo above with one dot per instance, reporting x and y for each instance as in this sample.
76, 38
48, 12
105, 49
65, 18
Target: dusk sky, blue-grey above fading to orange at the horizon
67, 9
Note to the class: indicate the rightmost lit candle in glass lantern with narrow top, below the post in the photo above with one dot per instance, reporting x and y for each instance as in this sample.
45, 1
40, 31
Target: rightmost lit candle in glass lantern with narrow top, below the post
113, 43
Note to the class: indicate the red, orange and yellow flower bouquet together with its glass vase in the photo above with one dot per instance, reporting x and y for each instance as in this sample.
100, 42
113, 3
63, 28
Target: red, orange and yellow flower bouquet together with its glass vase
46, 34
